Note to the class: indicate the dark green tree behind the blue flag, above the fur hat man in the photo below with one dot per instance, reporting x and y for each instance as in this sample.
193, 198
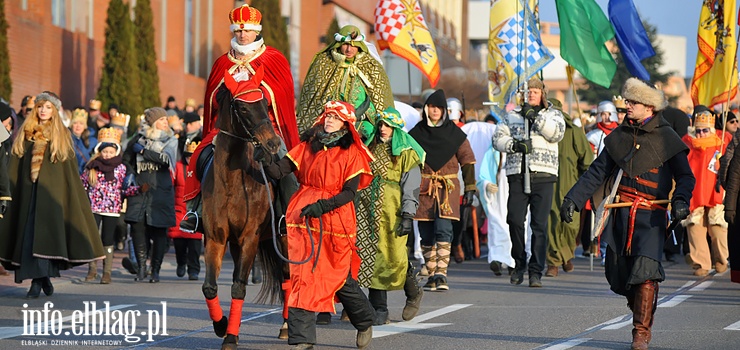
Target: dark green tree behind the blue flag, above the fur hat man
594, 93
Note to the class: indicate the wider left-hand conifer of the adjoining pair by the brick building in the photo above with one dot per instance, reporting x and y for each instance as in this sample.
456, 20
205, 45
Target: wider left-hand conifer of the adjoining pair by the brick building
119, 81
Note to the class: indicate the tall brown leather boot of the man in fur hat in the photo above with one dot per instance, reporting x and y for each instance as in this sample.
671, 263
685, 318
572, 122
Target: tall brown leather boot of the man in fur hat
643, 310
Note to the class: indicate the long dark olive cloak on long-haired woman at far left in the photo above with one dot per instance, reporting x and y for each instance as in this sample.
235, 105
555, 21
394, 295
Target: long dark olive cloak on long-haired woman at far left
65, 229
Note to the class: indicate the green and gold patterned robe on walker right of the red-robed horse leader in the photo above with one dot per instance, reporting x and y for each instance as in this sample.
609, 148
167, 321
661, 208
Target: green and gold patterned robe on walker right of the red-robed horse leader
379, 208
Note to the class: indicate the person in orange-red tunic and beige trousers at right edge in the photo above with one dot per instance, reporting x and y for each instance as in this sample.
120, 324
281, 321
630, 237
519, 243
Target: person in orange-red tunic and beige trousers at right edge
706, 144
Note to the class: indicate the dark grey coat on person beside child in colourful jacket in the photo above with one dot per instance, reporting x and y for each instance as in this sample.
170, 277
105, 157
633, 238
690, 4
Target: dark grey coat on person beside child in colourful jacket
156, 206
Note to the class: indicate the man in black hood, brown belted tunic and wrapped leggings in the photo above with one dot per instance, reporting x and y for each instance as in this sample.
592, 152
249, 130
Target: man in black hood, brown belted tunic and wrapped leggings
447, 151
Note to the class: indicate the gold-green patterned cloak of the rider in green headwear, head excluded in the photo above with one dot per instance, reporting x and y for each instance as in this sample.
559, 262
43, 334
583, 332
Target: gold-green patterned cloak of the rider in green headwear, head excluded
330, 77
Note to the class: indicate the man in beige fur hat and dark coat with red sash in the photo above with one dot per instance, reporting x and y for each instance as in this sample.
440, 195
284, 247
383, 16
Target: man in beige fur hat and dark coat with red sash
644, 154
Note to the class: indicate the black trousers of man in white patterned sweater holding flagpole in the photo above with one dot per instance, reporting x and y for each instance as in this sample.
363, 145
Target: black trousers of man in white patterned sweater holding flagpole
538, 202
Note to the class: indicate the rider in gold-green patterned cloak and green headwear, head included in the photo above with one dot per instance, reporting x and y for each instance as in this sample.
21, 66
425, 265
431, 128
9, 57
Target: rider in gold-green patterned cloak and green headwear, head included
346, 70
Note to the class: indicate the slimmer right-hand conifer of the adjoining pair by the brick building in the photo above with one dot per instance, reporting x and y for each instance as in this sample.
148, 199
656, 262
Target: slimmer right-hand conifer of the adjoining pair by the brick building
146, 56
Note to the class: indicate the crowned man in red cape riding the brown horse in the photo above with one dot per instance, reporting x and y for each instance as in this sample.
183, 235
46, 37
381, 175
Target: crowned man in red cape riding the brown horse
248, 53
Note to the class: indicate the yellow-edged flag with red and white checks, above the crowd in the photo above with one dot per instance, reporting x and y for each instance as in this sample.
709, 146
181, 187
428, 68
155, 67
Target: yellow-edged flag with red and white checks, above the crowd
400, 26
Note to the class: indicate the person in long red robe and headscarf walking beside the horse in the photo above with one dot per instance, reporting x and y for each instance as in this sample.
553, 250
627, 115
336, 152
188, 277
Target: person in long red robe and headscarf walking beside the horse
331, 165
